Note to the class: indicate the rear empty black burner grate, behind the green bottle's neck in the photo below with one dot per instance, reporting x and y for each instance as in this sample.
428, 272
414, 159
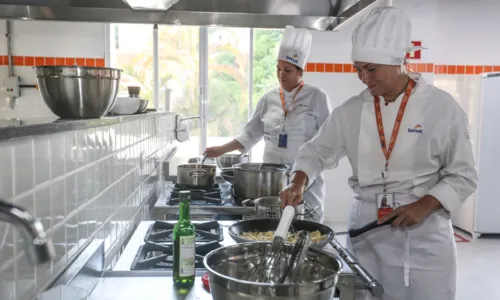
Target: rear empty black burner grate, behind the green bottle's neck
161, 232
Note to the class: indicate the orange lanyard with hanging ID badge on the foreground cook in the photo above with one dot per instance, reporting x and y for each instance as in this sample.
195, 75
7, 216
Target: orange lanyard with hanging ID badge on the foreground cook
385, 201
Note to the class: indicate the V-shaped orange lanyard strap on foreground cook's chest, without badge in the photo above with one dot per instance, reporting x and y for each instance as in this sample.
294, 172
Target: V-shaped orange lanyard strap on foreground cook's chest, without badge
397, 123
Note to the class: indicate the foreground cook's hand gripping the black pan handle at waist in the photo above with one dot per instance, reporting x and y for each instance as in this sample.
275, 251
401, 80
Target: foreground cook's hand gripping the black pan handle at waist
414, 213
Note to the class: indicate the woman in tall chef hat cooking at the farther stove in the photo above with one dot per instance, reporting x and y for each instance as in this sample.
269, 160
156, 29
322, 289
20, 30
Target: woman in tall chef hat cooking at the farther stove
287, 116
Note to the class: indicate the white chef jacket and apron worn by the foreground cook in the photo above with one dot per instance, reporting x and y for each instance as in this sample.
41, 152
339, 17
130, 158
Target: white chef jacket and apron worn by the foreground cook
432, 155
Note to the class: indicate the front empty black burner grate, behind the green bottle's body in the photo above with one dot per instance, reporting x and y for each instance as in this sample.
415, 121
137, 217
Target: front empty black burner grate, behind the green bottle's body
160, 256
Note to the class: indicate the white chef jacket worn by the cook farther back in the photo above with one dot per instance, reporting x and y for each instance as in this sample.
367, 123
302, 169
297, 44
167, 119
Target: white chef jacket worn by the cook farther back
309, 111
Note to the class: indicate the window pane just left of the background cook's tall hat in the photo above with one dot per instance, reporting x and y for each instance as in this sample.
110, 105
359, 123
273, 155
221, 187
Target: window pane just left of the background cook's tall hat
228, 83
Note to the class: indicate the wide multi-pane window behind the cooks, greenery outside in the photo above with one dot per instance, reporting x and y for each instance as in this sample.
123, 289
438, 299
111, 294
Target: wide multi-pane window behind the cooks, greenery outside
191, 57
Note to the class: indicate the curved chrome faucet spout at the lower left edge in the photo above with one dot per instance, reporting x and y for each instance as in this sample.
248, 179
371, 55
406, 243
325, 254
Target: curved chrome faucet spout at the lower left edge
38, 247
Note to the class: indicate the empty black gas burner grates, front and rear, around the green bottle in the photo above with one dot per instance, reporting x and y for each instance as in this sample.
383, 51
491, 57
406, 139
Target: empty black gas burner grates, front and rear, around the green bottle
157, 252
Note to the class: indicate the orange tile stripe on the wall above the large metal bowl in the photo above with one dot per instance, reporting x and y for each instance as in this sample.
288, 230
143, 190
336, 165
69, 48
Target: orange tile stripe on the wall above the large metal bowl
30, 61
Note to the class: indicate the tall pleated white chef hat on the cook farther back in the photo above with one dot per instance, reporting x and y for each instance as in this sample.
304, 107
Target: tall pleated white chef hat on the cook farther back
295, 46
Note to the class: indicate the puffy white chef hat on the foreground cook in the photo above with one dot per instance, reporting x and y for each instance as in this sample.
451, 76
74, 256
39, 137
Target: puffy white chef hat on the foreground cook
383, 37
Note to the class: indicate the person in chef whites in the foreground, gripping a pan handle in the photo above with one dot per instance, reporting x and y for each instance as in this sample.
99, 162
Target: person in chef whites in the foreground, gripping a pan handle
407, 141
